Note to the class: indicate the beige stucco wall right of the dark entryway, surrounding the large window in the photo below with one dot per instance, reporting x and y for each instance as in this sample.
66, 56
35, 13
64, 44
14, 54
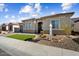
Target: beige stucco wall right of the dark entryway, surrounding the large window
64, 27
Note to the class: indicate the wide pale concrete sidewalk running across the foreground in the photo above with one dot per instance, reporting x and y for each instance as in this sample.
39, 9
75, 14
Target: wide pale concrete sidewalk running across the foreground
24, 48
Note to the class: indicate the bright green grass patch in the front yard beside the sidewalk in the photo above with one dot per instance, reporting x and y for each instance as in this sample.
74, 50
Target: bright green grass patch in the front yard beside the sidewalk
22, 37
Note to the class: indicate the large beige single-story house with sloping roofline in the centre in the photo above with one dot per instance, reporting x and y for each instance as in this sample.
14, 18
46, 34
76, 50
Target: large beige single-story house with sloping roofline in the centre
61, 24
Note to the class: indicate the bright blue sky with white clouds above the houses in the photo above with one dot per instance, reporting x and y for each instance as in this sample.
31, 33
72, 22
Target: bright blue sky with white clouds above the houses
16, 12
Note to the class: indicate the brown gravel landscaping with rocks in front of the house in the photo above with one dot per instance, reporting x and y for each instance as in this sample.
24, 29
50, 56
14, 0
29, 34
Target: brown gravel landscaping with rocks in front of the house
62, 42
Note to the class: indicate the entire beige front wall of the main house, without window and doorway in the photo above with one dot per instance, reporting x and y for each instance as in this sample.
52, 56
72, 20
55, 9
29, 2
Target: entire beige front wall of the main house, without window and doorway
64, 27
